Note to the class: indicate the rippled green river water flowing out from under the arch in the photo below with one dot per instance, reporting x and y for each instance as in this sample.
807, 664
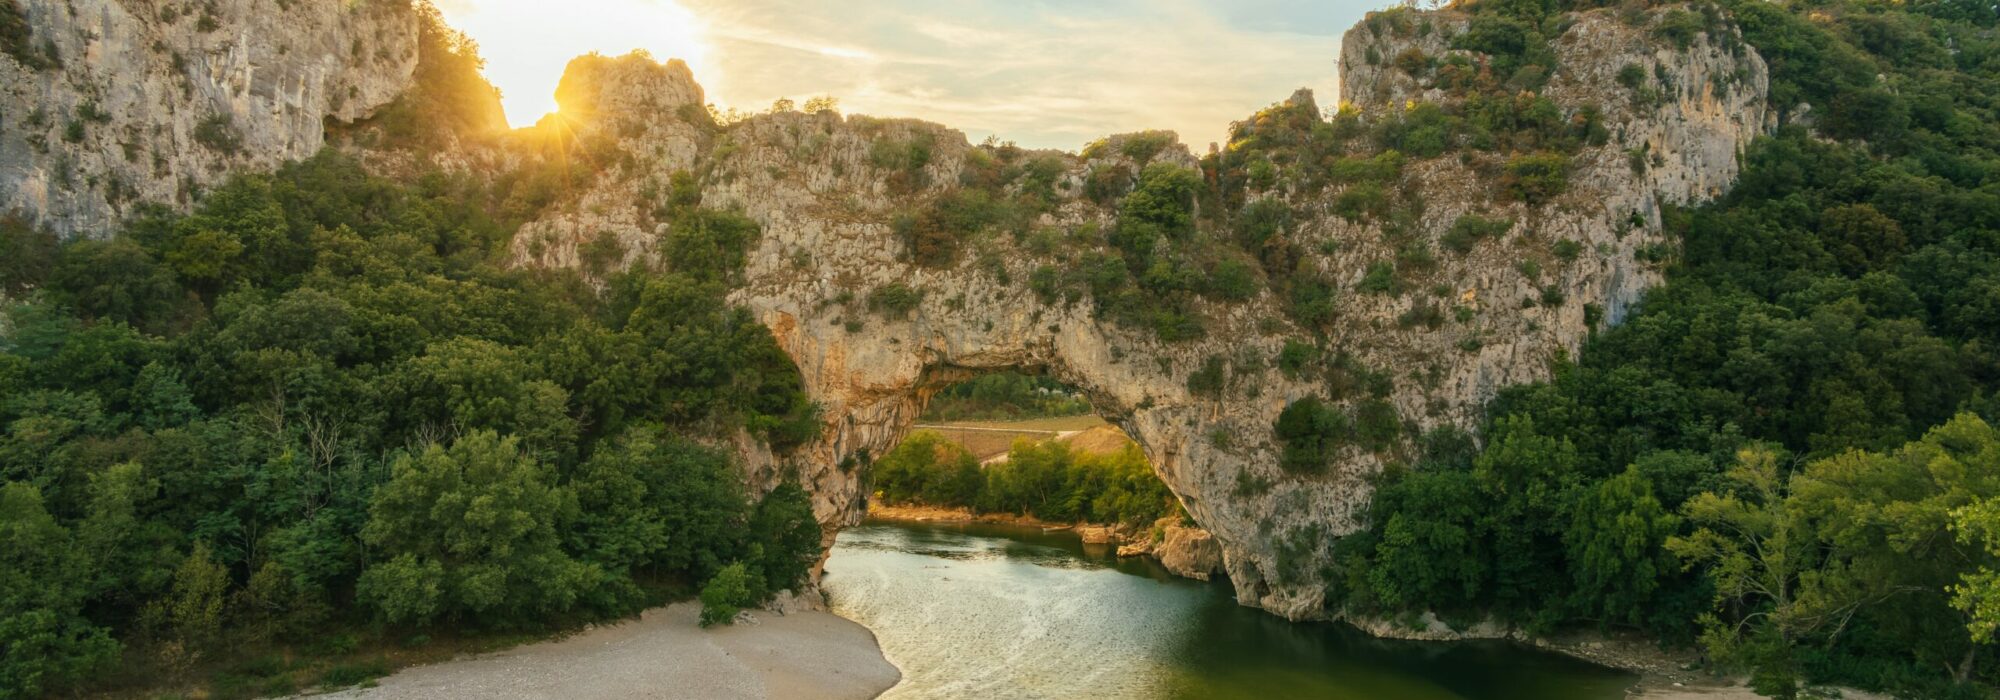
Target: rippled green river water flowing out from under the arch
977, 611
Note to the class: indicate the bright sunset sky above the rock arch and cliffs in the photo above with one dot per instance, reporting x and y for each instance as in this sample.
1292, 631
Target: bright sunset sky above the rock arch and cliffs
1039, 73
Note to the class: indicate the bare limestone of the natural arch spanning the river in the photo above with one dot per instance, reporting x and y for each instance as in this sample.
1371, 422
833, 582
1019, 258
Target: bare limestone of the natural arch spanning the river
831, 191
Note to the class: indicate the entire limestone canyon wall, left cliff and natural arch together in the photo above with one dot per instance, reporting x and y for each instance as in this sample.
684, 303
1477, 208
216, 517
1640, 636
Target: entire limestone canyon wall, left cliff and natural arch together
115, 103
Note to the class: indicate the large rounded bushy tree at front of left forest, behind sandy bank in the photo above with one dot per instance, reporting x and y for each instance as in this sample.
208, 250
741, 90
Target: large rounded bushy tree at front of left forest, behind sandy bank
473, 531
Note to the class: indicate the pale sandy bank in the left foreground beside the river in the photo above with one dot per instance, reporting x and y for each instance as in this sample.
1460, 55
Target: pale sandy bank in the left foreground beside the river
665, 655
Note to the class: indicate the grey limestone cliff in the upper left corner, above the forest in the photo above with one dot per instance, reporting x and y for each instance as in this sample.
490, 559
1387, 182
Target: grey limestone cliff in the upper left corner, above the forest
147, 101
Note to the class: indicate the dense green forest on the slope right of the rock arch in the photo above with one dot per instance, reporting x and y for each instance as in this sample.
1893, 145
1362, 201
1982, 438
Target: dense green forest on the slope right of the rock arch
1789, 453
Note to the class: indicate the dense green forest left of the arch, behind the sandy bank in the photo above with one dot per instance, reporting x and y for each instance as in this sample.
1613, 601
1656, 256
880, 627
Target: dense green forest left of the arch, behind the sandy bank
321, 415
